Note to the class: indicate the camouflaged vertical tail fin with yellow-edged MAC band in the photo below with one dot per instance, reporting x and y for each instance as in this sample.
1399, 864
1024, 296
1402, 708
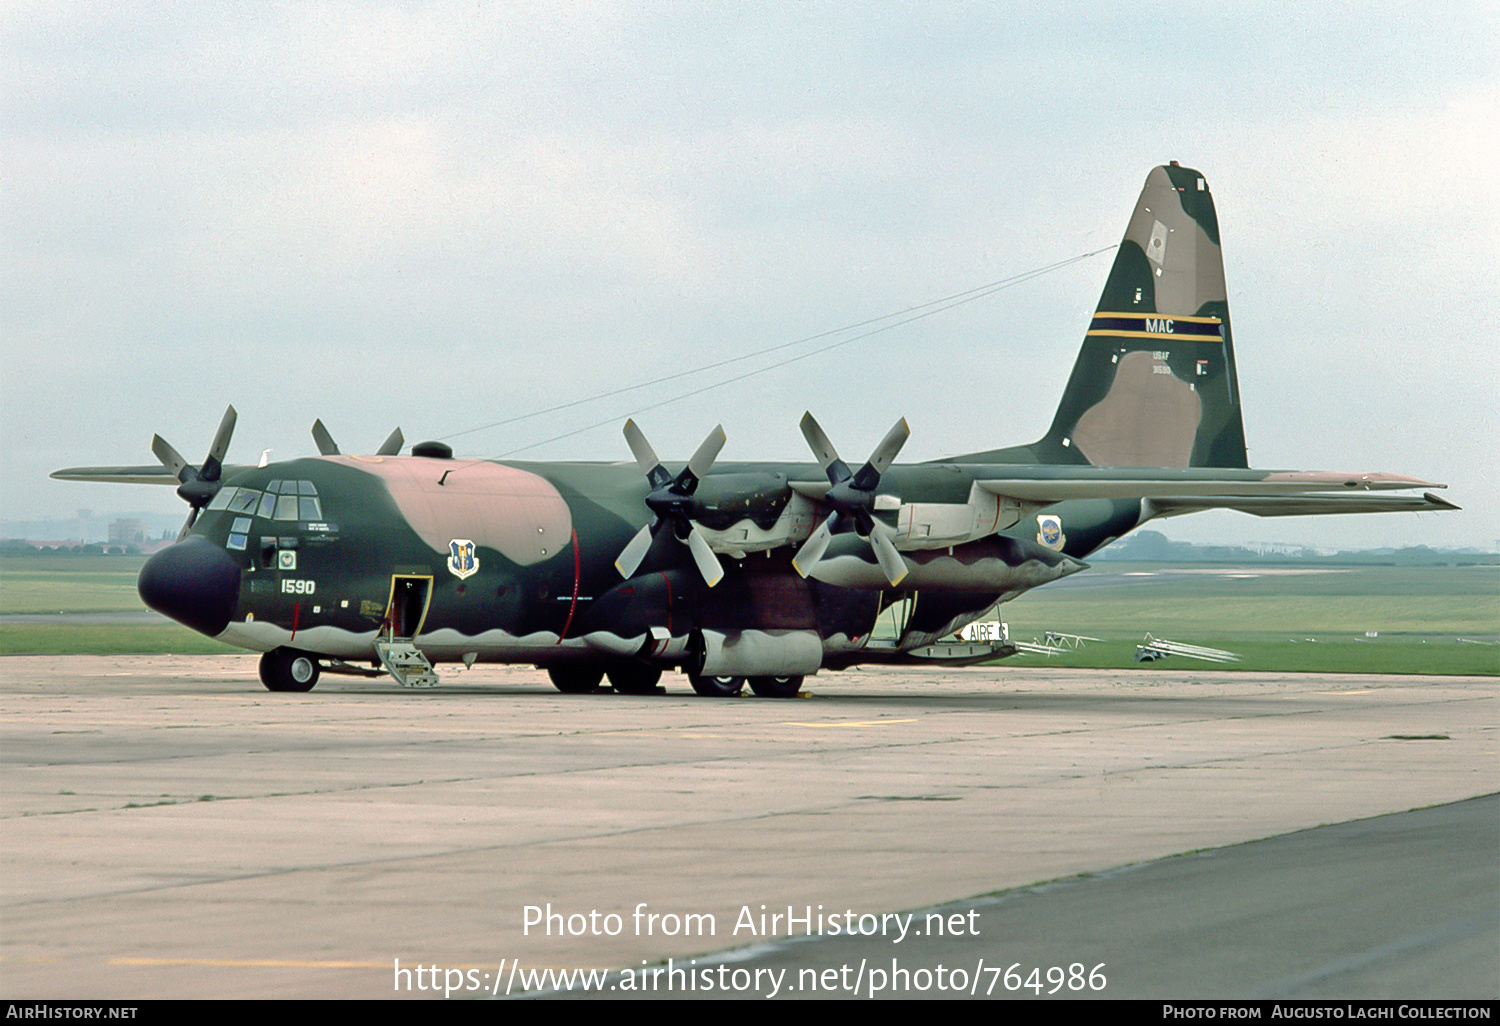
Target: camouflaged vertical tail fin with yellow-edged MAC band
1156, 383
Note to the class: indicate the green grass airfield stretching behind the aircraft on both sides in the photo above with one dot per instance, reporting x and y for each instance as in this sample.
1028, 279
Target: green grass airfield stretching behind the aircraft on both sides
1297, 617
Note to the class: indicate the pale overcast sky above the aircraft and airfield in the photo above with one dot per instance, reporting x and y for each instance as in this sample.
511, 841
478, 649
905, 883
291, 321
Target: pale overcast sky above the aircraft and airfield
443, 217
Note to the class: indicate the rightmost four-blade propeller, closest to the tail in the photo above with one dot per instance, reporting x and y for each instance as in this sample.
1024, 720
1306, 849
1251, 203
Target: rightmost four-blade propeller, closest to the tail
853, 500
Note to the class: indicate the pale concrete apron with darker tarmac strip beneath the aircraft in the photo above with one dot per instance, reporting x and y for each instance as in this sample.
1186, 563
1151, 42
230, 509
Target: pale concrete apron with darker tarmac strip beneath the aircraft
172, 830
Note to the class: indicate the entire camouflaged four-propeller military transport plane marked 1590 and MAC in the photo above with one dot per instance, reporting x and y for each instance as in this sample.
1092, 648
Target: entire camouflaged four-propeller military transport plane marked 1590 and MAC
757, 574
